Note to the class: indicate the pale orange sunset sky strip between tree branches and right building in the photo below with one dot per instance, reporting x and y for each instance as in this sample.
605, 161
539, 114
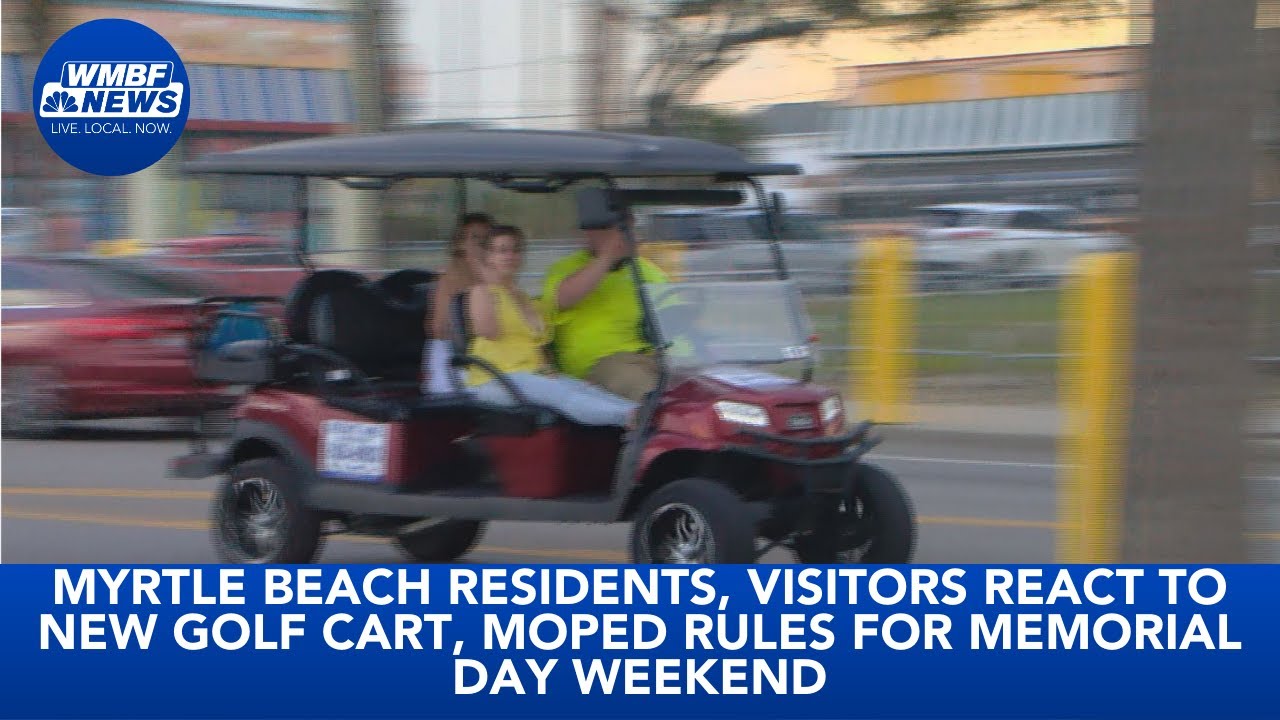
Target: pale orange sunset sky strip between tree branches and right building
807, 72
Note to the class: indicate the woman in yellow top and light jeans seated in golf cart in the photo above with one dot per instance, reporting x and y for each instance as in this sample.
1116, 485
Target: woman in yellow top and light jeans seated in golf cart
511, 332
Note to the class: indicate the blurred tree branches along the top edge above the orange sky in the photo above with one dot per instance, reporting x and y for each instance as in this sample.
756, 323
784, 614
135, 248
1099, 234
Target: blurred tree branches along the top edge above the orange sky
697, 40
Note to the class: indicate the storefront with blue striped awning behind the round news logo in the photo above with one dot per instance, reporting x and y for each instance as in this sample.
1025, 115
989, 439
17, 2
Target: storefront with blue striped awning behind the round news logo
258, 75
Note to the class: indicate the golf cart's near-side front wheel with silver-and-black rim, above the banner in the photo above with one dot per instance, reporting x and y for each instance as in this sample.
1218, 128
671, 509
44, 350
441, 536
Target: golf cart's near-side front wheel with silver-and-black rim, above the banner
719, 514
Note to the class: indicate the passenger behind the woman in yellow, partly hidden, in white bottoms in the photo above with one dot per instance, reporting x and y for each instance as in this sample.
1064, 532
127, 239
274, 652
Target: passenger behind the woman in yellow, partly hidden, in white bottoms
459, 277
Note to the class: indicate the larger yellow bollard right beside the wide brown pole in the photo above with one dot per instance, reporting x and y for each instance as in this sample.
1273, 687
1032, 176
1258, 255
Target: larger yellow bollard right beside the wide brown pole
1095, 388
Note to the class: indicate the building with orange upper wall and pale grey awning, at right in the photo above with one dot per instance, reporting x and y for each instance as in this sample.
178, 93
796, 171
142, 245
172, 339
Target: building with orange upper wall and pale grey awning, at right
1052, 127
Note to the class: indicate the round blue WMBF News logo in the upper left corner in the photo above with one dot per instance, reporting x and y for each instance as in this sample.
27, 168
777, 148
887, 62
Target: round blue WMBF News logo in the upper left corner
112, 97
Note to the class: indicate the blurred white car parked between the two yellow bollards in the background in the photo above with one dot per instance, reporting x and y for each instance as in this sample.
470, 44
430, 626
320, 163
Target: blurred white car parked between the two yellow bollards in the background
999, 245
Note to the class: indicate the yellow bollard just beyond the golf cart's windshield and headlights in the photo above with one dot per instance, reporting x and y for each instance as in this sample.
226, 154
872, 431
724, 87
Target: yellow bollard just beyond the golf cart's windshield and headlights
883, 316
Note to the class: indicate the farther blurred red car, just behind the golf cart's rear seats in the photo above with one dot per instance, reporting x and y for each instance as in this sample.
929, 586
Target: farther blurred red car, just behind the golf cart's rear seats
239, 265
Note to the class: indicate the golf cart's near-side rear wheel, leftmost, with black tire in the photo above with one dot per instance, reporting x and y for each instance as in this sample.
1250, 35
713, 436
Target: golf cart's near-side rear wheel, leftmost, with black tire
264, 486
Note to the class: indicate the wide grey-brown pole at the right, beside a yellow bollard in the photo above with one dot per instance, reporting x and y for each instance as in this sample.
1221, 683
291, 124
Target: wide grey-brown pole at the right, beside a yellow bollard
1186, 490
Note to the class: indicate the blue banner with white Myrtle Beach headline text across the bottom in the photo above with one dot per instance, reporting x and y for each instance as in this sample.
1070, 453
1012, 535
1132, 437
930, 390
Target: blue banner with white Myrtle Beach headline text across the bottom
510, 641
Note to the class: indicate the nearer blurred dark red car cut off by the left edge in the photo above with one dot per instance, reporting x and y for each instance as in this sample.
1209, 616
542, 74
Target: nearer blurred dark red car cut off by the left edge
93, 338
